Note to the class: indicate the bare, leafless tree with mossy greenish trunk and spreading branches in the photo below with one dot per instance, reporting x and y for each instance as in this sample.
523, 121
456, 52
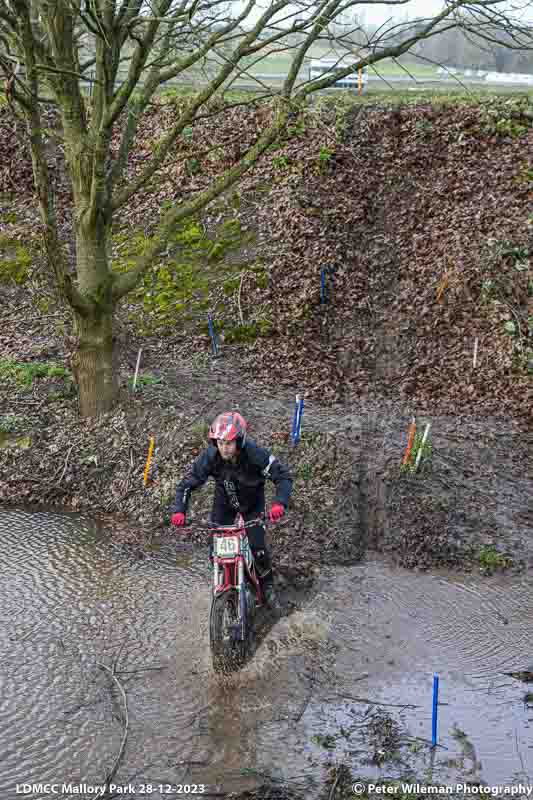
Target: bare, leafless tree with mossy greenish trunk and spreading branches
51, 48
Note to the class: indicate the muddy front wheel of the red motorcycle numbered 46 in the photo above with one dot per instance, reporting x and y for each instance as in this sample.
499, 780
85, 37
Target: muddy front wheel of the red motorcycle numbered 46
228, 651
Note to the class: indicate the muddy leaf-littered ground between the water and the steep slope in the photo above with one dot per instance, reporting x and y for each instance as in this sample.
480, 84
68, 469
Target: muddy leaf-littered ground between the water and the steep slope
467, 507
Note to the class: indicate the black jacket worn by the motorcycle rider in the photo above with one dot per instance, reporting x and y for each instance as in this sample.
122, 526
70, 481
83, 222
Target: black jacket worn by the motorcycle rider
243, 482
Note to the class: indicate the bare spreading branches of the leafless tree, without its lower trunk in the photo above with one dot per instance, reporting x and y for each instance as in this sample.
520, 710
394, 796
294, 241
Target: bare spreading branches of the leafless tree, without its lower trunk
163, 39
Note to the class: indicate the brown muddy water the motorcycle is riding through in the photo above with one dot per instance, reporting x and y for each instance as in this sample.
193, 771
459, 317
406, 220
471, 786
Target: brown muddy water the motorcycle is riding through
69, 603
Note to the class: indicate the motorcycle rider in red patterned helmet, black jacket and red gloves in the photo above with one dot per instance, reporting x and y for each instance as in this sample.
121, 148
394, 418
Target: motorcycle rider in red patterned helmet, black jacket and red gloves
240, 468
